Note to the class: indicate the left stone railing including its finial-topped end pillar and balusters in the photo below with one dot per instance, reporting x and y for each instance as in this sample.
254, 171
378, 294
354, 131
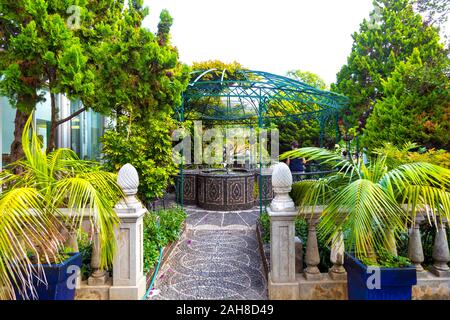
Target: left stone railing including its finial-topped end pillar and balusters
128, 281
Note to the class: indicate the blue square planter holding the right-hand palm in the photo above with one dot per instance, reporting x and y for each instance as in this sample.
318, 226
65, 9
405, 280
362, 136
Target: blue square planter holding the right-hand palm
384, 284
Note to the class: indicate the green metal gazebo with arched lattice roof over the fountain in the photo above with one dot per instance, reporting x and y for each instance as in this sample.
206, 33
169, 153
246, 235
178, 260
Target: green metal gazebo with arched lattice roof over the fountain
257, 99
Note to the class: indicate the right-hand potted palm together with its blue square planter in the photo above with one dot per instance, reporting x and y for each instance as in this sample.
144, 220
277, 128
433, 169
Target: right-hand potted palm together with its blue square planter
372, 204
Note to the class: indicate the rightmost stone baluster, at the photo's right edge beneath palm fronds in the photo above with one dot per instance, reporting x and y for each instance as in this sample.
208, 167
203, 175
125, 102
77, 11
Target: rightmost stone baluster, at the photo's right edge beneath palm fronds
441, 254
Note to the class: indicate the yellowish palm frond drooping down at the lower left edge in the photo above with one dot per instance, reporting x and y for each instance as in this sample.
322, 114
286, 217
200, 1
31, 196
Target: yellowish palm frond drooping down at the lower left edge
21, 233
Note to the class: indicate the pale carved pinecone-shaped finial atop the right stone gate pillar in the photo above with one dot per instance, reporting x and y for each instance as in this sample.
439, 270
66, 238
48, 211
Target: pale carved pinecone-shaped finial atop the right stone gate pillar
282, 185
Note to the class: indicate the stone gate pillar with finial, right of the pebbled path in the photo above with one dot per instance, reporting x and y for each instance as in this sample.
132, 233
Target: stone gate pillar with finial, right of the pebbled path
282, 212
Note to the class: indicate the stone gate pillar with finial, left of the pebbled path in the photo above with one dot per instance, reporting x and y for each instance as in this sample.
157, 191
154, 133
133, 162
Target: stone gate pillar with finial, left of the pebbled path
129, 282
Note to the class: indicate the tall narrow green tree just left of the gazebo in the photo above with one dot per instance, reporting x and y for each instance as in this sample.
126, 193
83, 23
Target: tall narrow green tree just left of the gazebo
143, 83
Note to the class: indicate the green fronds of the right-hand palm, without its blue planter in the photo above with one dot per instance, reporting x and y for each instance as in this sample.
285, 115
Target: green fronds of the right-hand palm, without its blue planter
373, 202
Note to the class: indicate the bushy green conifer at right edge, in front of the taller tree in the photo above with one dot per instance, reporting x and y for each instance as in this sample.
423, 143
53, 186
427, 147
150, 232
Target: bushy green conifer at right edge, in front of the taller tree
415, 106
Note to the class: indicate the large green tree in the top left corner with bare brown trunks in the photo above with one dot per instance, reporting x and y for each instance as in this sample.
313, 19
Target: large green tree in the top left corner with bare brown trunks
46, 46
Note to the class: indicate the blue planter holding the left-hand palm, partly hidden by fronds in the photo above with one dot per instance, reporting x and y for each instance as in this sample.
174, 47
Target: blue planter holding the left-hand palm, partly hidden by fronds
60, 280
